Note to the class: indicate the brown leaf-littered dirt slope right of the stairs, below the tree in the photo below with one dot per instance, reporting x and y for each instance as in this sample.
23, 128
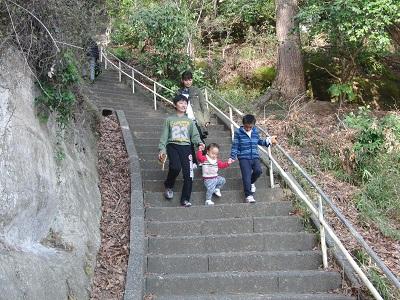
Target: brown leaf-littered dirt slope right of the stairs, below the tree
320, 123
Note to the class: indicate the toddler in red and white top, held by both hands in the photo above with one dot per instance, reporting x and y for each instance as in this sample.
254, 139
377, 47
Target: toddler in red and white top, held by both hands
211, 164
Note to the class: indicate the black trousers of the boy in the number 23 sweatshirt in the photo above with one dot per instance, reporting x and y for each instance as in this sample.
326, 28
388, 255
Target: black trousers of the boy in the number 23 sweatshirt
180, 157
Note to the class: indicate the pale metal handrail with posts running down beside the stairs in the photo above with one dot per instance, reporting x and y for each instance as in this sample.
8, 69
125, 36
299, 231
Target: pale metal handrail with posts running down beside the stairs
285, 176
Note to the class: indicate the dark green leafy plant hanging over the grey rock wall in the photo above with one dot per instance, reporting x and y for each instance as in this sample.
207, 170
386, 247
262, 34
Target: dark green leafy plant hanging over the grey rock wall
57, 95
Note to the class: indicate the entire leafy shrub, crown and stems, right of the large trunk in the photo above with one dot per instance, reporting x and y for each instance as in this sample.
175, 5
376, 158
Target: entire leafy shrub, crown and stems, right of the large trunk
356, 34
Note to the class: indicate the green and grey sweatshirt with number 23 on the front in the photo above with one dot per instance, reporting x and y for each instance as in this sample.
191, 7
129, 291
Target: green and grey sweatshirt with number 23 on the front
178, 130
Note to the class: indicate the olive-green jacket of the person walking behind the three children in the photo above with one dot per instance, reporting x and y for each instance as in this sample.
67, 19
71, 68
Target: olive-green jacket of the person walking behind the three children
199, 105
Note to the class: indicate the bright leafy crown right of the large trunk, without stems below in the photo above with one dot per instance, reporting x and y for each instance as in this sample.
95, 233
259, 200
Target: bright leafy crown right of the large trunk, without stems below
352, 23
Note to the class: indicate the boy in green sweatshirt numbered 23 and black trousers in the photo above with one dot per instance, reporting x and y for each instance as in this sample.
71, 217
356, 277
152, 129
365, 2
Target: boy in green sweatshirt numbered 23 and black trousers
178, 134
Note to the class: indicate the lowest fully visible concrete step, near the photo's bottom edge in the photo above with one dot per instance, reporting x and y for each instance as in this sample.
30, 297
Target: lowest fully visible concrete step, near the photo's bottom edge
244, 282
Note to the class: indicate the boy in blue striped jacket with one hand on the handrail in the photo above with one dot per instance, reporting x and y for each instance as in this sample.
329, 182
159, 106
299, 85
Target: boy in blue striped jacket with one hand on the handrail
245, 148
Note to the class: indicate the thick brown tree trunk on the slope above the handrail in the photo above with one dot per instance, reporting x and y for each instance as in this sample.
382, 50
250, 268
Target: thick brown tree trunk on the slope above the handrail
289, 82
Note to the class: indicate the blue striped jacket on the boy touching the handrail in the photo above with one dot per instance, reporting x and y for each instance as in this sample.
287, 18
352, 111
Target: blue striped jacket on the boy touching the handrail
244, 147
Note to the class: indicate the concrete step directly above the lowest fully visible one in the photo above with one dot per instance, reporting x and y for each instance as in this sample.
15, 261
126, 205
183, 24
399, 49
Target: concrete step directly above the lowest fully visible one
239, 262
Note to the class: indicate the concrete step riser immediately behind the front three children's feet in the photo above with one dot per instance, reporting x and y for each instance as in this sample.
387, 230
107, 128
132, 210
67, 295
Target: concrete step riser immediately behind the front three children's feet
198, 185
